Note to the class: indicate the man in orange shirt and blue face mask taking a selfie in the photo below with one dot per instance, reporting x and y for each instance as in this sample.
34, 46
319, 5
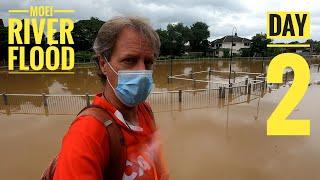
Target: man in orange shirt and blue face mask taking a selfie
126, 49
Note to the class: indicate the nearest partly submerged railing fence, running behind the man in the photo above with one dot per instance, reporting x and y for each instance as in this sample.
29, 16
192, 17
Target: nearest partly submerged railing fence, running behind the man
160, 101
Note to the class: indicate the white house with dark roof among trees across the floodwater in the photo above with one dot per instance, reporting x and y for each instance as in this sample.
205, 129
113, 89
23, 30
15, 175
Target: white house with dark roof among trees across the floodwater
223, 45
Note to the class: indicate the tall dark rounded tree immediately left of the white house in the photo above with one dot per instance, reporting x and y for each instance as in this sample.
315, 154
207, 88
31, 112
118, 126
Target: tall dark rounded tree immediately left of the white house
199, 34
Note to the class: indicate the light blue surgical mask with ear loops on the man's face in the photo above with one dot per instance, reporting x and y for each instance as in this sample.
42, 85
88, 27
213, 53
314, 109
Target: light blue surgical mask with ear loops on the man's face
133, 87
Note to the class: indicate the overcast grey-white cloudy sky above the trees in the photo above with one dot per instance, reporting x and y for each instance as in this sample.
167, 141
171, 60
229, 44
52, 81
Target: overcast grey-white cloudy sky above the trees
248, 16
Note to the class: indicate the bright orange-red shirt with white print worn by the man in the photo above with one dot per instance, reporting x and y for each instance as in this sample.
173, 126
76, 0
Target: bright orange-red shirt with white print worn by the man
85, 148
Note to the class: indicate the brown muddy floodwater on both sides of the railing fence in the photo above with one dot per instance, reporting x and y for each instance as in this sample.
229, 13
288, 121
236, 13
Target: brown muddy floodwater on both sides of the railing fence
224, 143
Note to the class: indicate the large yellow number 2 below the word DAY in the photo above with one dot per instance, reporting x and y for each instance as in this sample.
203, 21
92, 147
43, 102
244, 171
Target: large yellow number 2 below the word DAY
278, 124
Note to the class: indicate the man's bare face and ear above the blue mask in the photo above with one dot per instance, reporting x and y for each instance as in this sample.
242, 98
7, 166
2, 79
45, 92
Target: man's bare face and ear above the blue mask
131, 52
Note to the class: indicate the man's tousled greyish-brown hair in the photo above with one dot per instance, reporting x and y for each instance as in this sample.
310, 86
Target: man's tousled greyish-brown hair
108, 34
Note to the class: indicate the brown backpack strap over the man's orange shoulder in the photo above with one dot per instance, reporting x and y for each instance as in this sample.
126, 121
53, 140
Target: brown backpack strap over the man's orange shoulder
117, 158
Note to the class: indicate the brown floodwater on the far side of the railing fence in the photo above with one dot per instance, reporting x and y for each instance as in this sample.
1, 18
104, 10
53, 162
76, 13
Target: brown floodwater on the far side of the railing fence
85, 80
